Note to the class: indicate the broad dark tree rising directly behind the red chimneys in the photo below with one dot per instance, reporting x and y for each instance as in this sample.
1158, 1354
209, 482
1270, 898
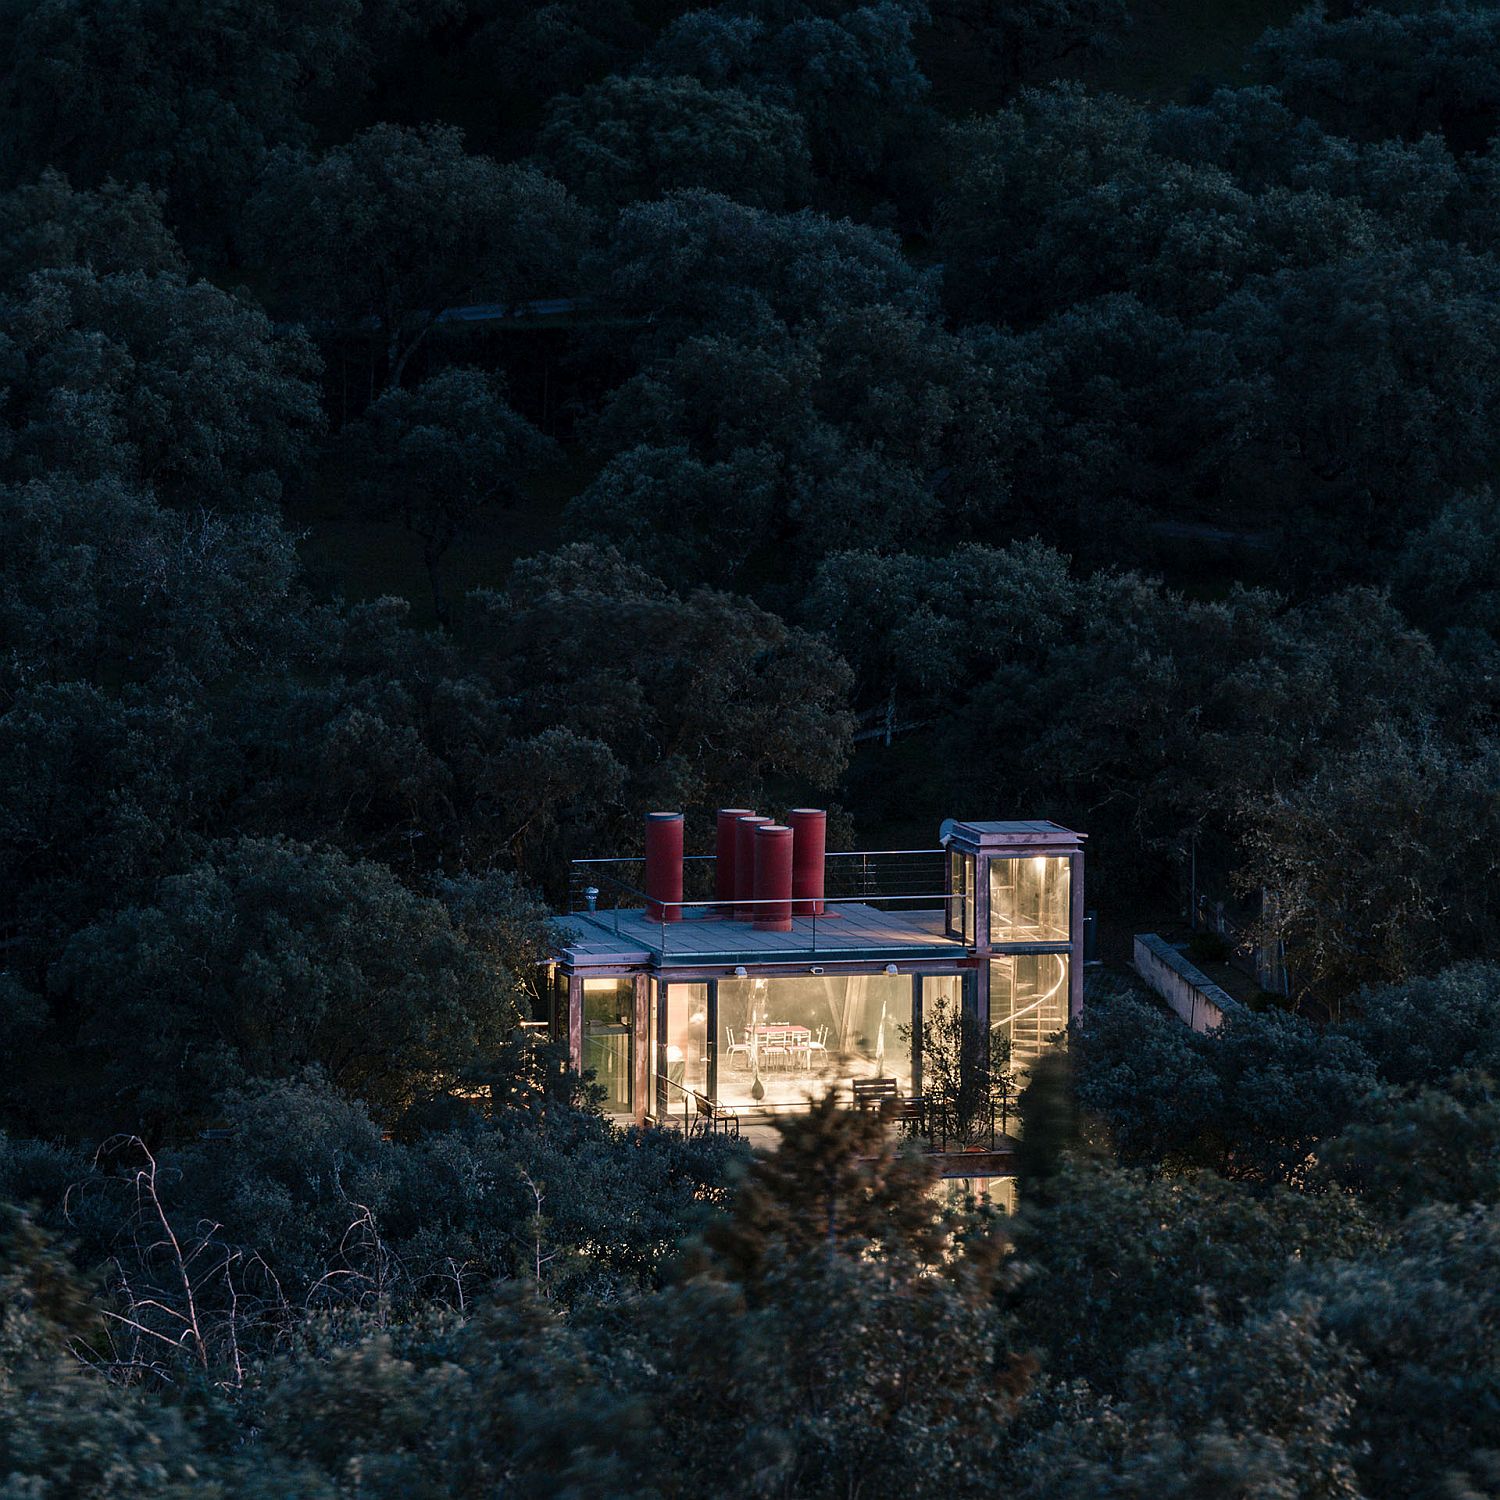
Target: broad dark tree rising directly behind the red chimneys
700, 697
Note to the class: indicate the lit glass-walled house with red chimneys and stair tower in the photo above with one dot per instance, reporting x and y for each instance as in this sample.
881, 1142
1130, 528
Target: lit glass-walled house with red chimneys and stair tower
773, 970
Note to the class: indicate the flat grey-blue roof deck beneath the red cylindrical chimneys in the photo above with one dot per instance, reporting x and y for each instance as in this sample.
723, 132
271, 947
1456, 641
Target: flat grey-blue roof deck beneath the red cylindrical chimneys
859, 932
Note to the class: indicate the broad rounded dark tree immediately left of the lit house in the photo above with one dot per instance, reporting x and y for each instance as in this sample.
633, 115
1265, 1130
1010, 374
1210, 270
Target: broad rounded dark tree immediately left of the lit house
268, 958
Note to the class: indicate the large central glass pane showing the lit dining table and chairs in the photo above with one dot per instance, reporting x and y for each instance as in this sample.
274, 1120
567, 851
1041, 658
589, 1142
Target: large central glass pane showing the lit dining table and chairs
785, 1040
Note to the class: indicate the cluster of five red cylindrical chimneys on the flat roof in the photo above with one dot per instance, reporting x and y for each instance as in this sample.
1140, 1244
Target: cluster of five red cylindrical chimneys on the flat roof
764, 872
